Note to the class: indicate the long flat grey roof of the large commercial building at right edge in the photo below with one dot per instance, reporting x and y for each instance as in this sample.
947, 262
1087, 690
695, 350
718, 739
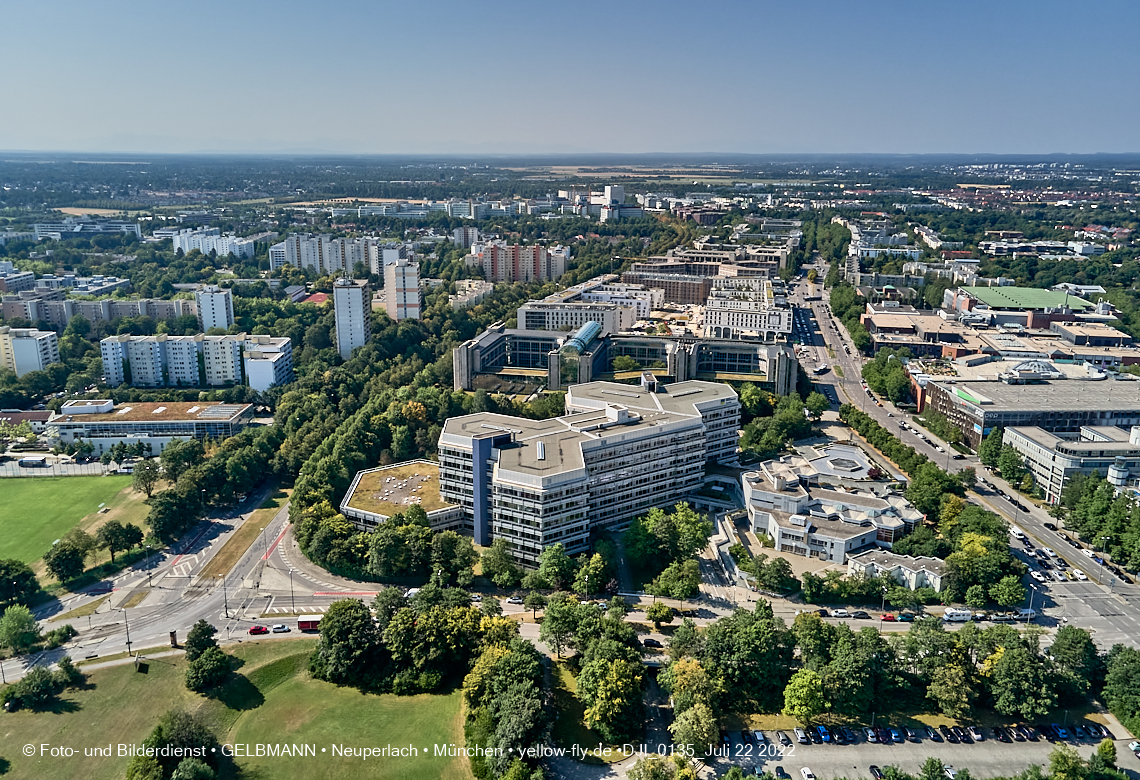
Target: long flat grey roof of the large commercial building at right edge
1068, 396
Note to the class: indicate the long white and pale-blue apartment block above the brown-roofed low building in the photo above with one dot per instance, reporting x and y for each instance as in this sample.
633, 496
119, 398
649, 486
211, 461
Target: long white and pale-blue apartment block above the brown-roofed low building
197, 361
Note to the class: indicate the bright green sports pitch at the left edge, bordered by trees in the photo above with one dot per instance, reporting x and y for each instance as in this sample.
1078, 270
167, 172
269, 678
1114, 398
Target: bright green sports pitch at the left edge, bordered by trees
36, 511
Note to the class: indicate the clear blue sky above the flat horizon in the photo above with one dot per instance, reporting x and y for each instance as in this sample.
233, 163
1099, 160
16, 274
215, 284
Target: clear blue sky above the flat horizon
506, 77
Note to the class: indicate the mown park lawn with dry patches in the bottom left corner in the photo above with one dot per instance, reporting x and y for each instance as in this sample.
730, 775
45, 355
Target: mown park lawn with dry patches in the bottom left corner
272, 700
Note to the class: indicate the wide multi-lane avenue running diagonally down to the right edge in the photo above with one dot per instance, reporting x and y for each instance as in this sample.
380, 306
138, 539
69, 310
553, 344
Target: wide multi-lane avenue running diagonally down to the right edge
1106, 605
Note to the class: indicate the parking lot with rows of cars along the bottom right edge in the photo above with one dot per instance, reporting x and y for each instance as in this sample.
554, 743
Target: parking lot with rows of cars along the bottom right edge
984, 760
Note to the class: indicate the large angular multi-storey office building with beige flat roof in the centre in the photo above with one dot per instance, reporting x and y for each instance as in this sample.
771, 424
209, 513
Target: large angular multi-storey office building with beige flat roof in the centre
617, 453
